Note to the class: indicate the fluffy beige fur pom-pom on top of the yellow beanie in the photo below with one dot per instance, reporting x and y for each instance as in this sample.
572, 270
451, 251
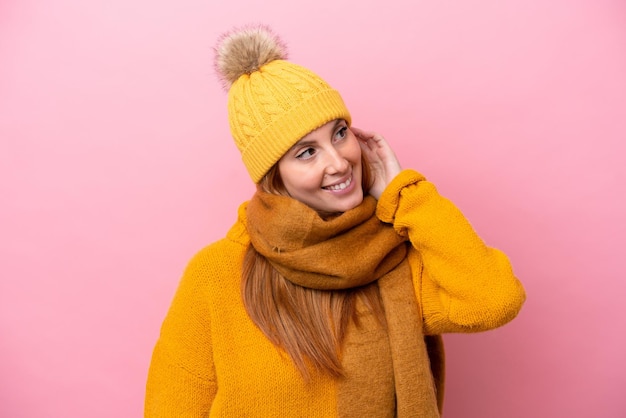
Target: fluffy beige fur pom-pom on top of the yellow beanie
245, 51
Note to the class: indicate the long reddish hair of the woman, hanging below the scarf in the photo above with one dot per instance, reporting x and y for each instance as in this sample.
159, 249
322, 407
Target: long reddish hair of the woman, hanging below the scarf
308, 324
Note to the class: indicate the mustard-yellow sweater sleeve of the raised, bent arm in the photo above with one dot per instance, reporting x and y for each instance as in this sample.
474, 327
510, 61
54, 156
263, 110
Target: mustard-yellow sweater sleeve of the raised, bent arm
462, 284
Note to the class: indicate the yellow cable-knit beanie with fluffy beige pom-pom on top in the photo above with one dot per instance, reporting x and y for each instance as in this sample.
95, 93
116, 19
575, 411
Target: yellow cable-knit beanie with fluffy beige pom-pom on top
272, 103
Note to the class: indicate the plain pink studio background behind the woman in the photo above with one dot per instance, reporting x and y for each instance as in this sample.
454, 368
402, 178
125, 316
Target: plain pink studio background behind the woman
116, 165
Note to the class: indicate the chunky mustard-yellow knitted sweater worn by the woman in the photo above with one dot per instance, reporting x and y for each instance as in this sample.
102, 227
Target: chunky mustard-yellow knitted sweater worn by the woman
211, 360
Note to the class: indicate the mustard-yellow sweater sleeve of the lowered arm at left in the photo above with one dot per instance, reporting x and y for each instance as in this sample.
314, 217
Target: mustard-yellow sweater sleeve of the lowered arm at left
181, 378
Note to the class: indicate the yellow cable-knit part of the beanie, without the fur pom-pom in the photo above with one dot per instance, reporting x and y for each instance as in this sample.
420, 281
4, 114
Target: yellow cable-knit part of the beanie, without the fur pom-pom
272, 108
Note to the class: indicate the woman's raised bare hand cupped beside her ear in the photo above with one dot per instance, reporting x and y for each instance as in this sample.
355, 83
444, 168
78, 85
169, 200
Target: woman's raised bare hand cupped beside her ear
382, 160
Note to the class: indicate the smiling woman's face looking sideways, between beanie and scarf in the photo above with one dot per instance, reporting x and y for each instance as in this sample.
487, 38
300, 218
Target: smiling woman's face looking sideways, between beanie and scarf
323, 170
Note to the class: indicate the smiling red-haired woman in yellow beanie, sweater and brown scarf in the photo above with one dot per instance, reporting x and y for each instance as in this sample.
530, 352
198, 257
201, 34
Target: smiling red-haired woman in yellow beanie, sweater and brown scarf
329, 294
